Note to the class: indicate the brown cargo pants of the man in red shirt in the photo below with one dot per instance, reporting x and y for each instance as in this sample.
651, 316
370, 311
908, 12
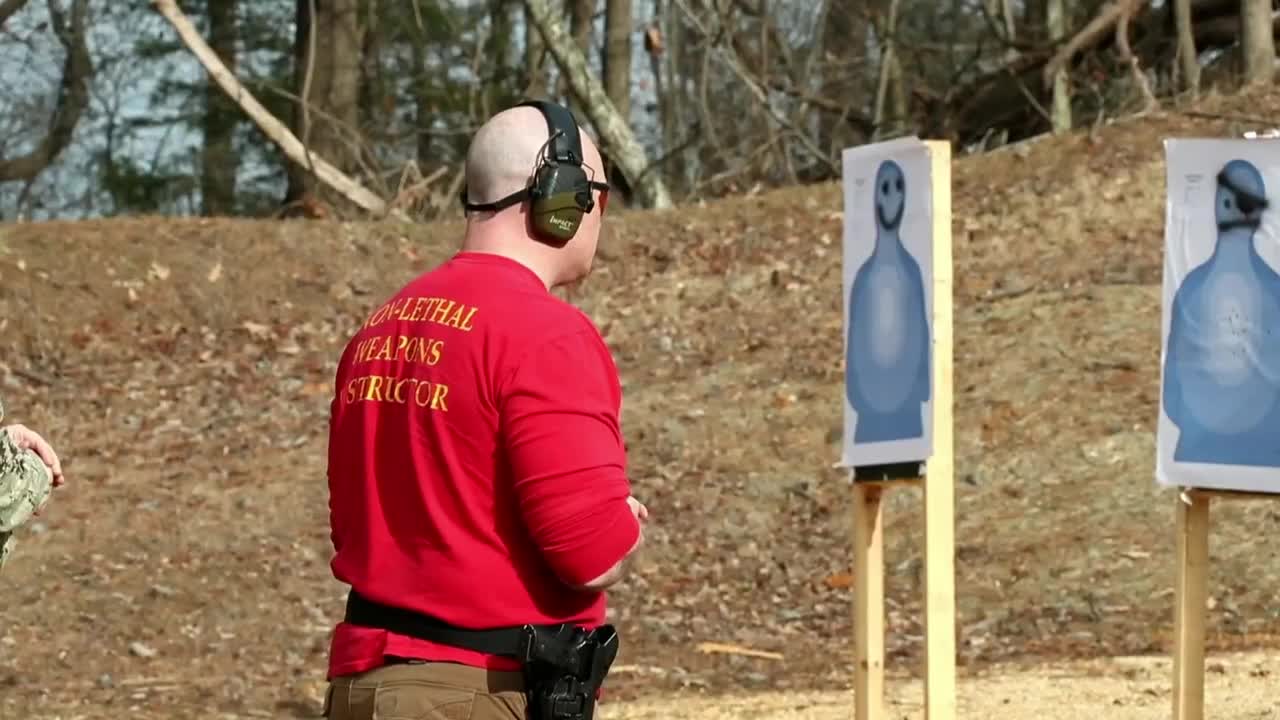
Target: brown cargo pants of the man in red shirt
427, 691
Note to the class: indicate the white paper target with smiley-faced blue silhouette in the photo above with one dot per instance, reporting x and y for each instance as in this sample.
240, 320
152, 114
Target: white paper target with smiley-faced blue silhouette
888, 291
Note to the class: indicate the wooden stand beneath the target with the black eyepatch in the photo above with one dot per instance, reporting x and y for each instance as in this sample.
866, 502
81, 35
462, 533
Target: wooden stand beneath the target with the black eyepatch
1191, 596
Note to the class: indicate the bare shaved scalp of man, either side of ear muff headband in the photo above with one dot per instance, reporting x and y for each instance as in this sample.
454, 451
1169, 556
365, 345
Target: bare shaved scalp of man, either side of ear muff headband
506, 151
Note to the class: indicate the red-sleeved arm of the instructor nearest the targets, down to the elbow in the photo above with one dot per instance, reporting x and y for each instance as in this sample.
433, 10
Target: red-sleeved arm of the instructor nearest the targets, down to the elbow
560, 417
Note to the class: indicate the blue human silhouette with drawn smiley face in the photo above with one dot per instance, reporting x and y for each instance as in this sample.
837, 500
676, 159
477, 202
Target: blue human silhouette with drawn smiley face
888, 364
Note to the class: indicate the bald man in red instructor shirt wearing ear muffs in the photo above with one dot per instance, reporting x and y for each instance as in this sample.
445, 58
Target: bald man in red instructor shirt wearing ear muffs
477, 467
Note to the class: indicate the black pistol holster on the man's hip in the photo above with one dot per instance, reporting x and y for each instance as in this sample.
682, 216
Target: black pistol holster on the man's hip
565, 668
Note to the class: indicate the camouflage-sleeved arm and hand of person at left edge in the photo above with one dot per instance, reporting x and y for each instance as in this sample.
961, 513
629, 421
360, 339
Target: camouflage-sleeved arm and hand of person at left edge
29, 472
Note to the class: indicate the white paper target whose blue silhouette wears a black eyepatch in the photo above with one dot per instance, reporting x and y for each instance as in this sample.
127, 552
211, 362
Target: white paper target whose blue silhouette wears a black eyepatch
1220, 362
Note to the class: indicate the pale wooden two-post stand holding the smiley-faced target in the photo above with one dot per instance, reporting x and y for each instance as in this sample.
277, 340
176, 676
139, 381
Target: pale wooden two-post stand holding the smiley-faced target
938, 484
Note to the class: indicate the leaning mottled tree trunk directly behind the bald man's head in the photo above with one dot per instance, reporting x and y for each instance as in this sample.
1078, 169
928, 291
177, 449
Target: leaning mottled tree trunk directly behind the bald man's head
614, 131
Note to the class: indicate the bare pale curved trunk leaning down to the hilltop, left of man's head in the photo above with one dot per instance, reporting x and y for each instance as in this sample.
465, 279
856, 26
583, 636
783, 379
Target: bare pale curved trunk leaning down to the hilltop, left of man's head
275, 129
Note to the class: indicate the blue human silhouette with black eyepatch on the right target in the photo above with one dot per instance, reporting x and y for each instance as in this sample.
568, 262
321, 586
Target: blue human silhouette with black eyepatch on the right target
1223, 361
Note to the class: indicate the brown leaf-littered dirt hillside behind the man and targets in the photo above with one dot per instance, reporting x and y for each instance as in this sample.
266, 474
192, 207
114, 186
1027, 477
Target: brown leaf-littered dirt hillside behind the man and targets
184, 371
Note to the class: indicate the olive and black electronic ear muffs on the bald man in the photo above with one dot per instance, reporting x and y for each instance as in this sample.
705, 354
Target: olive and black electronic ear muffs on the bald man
560, 193
